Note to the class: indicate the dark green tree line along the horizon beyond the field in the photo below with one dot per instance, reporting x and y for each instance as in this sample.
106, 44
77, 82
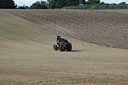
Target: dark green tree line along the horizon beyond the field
52, 4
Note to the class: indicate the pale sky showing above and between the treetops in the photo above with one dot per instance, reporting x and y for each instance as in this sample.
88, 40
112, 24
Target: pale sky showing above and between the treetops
30, 2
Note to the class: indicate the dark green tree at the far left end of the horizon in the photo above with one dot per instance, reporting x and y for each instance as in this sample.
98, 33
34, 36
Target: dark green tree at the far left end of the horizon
7, 4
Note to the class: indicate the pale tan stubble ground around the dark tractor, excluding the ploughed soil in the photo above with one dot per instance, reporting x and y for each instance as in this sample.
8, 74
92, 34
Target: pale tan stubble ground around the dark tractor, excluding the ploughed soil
27, 58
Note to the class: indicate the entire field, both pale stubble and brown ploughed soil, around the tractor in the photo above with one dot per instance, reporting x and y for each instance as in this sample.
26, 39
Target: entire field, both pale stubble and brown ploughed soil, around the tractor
27, 56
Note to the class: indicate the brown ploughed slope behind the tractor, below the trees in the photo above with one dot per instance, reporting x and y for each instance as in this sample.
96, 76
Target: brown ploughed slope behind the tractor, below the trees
107, 28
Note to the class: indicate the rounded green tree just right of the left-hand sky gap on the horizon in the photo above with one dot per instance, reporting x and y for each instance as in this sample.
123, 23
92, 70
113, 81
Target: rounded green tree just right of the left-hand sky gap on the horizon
39, 5
